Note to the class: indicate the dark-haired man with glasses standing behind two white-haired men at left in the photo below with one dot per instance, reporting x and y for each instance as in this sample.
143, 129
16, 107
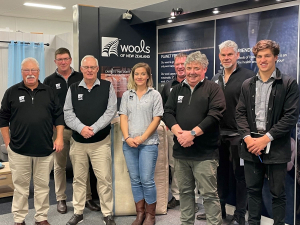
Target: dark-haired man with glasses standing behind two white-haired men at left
60, 81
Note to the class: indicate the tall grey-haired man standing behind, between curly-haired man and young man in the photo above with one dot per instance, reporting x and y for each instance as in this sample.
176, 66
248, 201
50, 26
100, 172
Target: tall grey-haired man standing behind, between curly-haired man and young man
230, 79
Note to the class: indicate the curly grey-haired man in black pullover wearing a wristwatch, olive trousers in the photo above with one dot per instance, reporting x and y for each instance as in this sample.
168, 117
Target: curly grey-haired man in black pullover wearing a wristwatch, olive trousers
193, 111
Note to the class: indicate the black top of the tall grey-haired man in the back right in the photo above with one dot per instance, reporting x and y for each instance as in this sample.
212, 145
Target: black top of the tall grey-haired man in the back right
232, 92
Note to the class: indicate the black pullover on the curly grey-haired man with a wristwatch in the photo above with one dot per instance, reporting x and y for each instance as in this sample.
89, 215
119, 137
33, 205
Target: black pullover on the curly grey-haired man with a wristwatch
204, 108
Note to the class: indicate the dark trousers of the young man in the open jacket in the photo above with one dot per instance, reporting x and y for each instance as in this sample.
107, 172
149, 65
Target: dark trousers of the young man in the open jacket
255, 174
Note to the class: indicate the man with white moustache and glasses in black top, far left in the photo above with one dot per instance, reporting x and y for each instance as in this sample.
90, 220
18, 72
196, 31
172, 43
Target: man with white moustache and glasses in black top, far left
29, 110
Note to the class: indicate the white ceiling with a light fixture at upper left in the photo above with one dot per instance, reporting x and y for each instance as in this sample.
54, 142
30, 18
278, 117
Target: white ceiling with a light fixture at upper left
16, 8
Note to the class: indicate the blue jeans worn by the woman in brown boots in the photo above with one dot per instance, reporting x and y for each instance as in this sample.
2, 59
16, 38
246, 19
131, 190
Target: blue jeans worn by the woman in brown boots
141, 163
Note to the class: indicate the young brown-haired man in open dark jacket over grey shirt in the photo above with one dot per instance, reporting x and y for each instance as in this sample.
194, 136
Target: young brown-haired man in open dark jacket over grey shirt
266, 113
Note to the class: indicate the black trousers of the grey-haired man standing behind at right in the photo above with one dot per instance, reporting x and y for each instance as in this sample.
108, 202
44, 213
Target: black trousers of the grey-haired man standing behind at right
229, 151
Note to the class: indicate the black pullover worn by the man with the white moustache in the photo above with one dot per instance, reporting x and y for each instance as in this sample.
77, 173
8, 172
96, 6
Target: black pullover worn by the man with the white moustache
30, 116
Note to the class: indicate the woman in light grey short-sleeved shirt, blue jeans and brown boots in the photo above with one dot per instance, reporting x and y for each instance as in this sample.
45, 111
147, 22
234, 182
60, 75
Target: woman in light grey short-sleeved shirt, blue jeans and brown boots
140, 113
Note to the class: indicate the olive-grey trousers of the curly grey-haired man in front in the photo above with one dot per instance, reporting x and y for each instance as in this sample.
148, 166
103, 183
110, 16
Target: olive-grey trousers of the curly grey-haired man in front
204, 173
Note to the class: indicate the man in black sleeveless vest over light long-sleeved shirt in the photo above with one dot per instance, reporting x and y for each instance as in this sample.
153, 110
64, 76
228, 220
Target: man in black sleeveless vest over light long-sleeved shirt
90, 106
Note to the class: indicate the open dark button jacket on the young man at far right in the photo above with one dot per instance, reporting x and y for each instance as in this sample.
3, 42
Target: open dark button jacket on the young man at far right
282, 115
